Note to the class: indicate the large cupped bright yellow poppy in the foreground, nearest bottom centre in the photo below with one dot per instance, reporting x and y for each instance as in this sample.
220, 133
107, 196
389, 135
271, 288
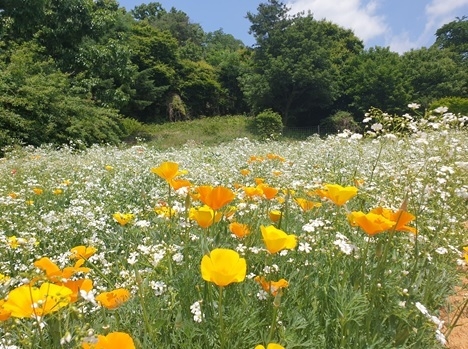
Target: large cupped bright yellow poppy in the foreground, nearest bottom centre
223, 267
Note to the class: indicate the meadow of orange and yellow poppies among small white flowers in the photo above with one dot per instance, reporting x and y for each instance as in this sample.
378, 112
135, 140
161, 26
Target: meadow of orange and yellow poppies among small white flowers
343, 242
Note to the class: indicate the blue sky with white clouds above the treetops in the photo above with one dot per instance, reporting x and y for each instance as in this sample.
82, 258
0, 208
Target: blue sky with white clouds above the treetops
400, 24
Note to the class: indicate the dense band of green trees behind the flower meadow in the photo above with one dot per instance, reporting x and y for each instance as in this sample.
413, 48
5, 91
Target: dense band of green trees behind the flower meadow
72, 70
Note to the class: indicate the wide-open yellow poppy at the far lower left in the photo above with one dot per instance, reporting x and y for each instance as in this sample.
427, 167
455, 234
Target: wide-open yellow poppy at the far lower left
27, 301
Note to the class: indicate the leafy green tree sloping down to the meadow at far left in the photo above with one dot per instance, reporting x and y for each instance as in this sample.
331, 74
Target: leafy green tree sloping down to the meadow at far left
37, 105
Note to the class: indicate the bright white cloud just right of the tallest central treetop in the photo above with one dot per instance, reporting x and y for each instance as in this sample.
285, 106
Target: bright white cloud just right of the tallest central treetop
360, 16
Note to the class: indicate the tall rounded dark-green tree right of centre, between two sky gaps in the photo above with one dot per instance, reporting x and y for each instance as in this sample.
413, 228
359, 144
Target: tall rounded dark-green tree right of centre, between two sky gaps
297, 63
